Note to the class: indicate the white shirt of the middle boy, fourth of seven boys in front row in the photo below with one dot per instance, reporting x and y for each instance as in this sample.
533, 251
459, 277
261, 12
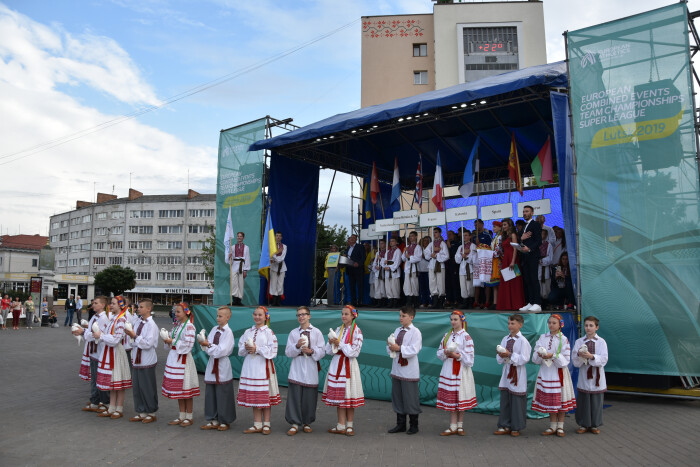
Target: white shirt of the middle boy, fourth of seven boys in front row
304, 368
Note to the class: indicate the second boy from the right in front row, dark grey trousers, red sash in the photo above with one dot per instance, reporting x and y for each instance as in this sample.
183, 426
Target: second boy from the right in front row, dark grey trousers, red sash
513, 353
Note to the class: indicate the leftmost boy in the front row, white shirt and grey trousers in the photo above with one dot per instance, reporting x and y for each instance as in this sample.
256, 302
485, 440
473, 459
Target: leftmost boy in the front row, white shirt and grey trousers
88, 367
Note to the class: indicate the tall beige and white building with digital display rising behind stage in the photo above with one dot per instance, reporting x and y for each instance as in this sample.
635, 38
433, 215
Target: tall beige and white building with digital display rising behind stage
406, 55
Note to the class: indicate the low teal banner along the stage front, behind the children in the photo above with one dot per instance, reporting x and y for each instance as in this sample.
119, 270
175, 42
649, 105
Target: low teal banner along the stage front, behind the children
486, 329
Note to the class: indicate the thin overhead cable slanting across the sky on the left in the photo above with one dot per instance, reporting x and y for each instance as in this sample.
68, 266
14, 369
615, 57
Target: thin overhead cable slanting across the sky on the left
177, 97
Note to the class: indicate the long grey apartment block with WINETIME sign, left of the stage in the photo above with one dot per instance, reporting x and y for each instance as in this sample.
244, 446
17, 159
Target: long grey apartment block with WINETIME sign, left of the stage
161, 237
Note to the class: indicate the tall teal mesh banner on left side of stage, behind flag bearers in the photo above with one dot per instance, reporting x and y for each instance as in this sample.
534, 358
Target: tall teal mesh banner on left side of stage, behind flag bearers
238, 191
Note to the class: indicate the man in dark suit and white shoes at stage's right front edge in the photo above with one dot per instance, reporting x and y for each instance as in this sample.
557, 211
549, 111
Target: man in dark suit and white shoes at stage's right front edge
531, 239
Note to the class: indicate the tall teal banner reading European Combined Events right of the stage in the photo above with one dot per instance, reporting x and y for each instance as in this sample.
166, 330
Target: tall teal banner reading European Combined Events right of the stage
637, 184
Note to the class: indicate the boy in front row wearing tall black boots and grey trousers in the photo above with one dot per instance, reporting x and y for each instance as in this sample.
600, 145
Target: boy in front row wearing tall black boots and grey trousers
405, 372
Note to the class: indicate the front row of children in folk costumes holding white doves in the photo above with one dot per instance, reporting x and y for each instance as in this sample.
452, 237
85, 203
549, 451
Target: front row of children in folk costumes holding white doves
120, 355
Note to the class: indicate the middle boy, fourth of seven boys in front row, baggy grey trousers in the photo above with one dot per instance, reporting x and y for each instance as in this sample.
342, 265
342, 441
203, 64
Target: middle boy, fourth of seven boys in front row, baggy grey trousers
305, 346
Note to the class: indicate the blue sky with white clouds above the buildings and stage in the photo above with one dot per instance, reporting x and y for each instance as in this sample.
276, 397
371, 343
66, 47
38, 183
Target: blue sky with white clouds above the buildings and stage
68, 68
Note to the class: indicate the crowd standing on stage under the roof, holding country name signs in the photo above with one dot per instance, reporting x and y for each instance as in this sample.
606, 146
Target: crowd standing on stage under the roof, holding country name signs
518, 266
